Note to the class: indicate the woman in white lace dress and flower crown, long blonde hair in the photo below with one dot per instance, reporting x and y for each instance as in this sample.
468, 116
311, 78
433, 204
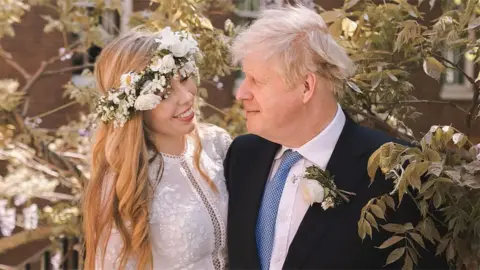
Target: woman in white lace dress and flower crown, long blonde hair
156, 198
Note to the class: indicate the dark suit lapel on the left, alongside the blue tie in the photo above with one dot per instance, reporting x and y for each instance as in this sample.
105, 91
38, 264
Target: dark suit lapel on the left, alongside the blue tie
257, 173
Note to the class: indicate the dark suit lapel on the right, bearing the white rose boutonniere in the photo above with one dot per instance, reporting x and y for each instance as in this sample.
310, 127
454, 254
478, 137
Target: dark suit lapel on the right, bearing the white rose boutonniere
317, 221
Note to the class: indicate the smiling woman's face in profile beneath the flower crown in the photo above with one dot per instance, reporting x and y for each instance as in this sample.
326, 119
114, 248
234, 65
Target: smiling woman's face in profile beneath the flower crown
174, 116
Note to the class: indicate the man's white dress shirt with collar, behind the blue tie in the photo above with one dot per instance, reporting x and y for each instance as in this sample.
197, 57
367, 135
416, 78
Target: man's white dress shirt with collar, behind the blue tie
293, 207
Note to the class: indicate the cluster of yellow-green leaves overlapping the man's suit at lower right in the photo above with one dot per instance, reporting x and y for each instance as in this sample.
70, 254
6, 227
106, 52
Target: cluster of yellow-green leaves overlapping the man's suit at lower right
442, 176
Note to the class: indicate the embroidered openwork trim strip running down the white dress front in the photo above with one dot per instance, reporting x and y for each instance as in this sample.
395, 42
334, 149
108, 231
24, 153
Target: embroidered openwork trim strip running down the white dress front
218, 261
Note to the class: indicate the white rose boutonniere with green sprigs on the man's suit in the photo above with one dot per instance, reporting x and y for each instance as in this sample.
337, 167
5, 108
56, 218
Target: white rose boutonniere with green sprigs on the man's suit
319, 187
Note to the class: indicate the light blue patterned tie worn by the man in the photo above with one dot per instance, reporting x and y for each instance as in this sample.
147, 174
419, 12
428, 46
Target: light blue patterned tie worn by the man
265, 230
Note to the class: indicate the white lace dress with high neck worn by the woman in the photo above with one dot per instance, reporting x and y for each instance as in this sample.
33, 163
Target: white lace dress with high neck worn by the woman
188, 219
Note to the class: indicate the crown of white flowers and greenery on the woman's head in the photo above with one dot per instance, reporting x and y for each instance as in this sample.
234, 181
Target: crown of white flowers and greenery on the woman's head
143, 91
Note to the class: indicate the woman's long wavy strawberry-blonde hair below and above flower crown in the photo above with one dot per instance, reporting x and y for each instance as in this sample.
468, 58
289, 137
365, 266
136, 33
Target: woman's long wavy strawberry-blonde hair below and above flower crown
119, 191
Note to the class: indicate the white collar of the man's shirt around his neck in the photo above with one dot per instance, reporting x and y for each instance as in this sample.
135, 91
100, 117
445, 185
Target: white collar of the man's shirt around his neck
319, 149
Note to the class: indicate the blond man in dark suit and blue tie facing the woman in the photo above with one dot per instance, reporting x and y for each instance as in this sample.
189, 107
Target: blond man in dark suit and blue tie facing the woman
294, 71
